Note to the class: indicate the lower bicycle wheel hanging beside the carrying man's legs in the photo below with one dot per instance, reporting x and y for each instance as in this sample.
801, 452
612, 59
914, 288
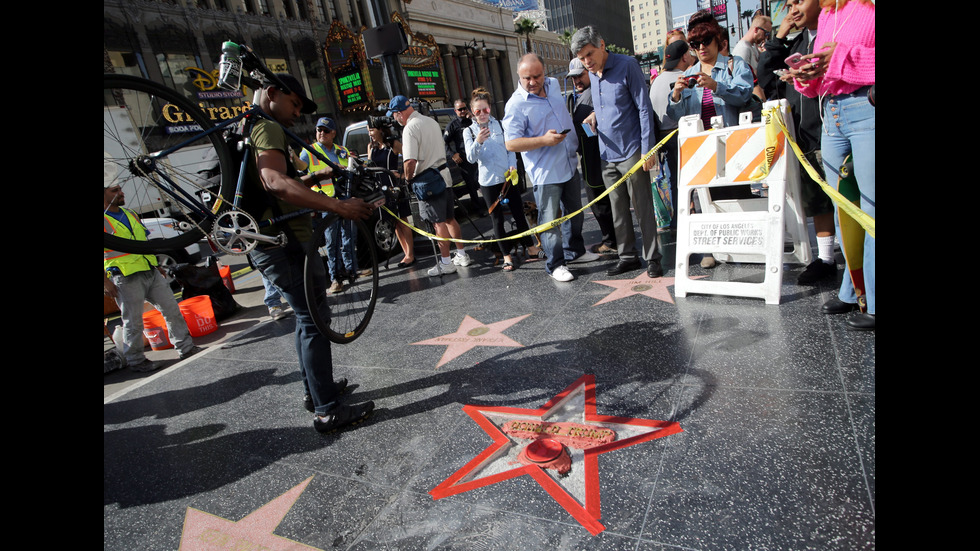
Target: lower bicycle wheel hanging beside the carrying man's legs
352, 307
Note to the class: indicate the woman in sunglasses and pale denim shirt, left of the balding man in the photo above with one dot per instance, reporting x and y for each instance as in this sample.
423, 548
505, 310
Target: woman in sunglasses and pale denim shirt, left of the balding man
484, 142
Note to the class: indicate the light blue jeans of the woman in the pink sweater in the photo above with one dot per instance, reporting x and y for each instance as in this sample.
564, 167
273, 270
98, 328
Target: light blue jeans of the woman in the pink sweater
849, 128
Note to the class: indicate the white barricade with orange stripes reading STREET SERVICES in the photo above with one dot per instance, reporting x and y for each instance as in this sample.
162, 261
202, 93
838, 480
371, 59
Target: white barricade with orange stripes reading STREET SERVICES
756, 230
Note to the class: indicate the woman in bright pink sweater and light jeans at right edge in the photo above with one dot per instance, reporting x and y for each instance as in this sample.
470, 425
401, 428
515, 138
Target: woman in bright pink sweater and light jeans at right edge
841, 72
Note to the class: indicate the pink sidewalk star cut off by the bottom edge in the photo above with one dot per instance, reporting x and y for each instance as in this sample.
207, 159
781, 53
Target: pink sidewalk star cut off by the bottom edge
255, 531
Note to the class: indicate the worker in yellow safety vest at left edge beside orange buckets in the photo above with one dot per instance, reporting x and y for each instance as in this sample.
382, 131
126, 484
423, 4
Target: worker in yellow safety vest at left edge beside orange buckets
132, 279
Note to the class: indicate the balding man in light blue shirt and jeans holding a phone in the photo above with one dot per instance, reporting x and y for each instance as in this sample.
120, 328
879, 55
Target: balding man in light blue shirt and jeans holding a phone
537, 125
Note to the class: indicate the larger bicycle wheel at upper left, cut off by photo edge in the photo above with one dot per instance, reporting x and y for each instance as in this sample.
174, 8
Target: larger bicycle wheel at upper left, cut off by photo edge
141, 118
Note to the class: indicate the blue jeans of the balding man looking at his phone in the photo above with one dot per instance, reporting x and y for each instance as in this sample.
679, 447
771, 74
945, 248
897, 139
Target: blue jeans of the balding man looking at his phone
554, 201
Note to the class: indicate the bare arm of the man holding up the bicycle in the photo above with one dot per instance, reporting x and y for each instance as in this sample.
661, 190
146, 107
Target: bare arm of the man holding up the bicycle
272, 171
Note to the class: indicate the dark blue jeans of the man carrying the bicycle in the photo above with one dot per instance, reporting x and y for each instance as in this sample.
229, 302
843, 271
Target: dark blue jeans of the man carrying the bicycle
284, 268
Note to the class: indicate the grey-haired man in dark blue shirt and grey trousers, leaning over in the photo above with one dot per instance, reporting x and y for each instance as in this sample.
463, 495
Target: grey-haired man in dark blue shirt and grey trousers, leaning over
625, 123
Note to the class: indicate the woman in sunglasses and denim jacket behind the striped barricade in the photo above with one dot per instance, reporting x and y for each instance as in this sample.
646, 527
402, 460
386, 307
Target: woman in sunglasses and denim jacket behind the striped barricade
715, 89
